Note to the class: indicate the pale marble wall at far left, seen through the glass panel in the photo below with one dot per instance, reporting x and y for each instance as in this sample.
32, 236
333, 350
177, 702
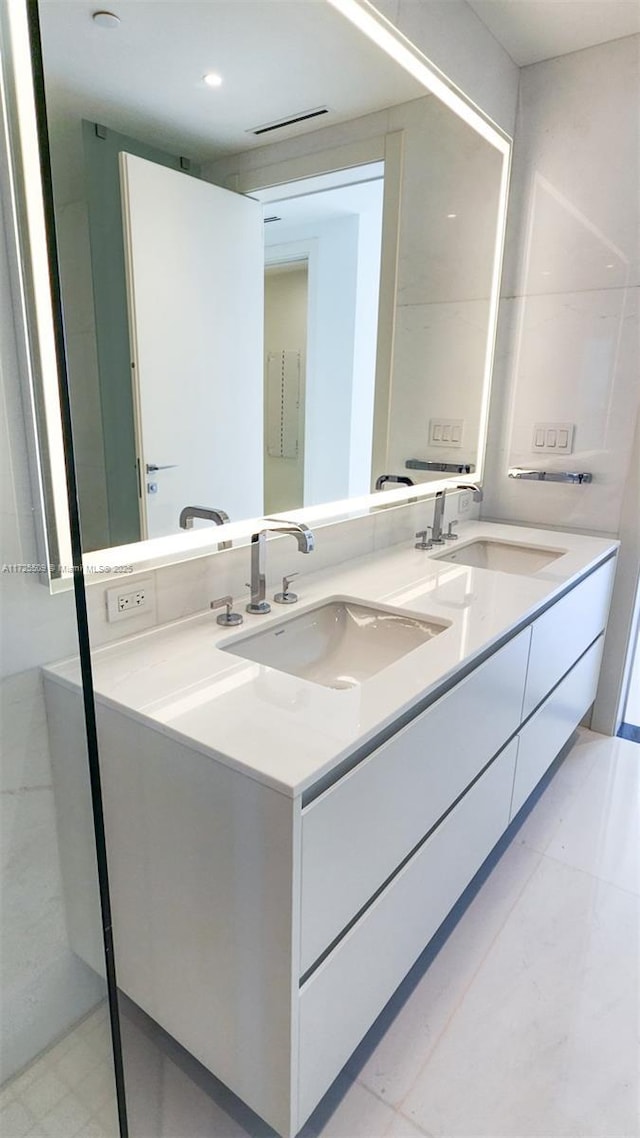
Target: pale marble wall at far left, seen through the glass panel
45, 988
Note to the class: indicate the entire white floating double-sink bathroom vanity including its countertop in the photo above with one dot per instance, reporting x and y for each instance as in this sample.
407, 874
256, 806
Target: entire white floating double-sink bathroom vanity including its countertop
282, 851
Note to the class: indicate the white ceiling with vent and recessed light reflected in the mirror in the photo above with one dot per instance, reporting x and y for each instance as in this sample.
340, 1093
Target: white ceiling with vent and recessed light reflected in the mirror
277, 59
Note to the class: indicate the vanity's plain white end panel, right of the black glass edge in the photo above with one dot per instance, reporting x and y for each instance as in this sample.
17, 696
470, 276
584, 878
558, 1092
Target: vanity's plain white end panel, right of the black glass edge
201, 876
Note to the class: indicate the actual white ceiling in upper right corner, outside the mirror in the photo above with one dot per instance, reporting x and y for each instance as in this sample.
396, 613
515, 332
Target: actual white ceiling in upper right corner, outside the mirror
536, 30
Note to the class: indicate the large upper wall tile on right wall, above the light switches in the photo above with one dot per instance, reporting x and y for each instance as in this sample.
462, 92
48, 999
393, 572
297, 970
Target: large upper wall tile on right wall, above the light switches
576, 185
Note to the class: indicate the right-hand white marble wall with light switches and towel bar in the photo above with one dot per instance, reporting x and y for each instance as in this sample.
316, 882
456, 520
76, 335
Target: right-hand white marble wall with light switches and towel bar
569, 323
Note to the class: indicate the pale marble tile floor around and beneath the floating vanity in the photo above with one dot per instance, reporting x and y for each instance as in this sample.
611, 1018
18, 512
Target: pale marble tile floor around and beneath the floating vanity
520, 1021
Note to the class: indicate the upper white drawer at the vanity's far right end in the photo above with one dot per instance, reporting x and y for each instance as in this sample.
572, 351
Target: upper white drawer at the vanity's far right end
563, 633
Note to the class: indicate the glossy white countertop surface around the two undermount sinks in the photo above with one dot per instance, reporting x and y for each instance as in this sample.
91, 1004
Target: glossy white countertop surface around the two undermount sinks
289, 732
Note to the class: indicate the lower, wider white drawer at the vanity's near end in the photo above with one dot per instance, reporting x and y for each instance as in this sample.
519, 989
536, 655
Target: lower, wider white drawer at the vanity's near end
343, 997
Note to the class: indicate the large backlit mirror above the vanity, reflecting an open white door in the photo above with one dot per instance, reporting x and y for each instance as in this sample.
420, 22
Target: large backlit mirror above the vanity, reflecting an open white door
280, 259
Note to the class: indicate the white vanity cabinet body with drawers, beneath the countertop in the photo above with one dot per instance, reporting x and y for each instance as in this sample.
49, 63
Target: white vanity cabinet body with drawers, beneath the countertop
266, 933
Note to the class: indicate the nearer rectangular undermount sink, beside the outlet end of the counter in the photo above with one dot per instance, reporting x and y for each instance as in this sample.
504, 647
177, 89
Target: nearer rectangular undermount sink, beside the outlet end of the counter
339, 644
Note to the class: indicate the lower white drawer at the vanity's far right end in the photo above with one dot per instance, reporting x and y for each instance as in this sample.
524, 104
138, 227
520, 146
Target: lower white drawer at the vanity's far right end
549, 729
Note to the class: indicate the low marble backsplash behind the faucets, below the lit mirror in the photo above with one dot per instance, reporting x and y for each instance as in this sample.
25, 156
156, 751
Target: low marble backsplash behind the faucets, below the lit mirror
190, 587
